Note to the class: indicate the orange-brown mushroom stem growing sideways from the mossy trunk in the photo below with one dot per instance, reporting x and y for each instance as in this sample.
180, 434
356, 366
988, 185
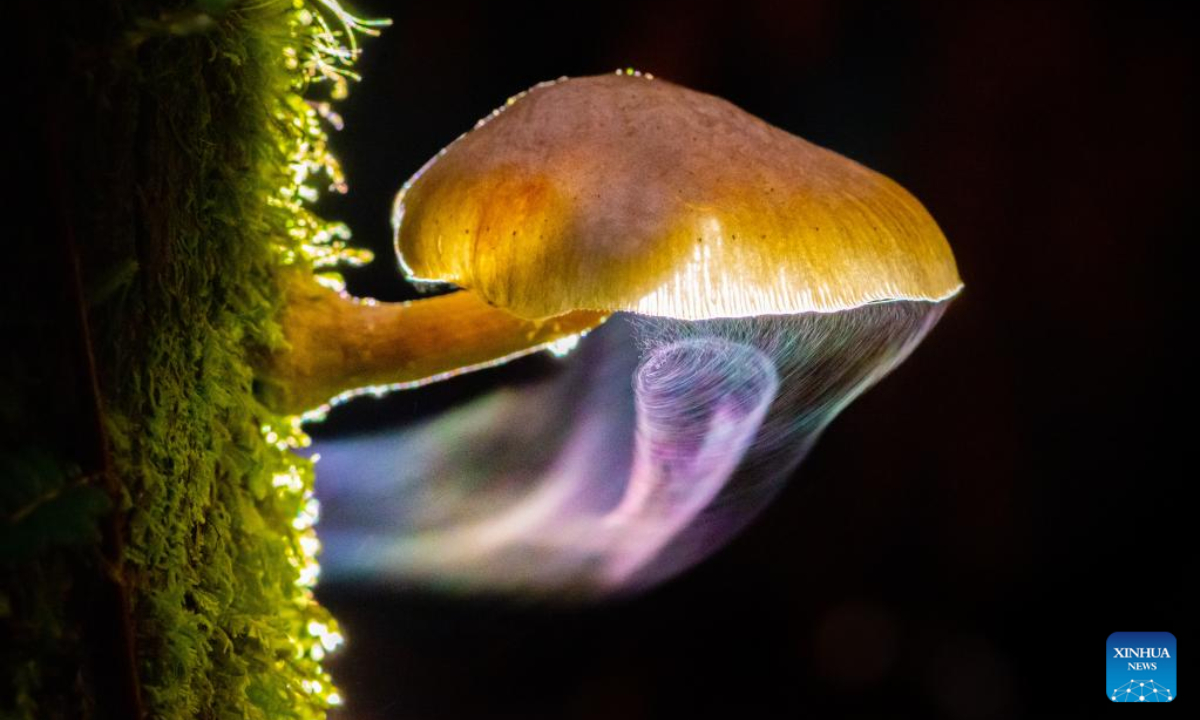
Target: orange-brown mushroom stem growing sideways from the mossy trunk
338, 344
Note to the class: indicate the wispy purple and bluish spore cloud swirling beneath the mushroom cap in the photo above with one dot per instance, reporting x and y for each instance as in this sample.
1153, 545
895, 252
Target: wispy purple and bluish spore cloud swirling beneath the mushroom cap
657, 445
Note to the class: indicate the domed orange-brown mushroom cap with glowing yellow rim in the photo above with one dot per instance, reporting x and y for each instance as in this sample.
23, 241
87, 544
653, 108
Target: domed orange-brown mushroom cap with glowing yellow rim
621, 193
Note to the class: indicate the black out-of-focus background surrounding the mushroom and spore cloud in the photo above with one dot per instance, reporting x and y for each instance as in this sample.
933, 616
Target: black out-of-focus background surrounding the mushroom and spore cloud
967, 535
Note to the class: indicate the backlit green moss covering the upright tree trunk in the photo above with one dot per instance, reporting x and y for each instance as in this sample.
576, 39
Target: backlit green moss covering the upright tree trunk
191, 151
